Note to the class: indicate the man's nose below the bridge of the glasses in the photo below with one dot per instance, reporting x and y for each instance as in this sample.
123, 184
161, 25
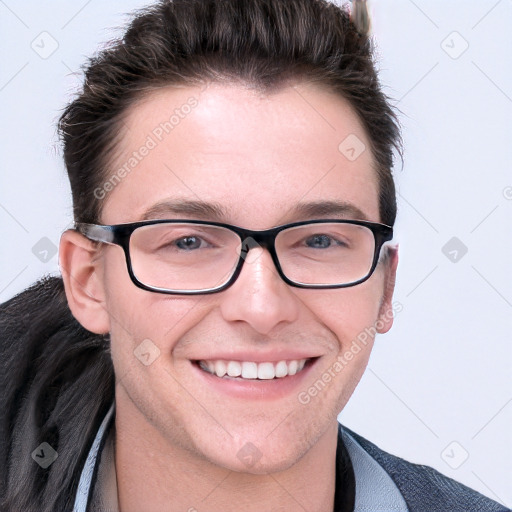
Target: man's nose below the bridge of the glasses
259, 296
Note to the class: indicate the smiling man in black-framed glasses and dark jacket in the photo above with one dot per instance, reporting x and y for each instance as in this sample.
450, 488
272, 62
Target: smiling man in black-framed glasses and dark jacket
230, 164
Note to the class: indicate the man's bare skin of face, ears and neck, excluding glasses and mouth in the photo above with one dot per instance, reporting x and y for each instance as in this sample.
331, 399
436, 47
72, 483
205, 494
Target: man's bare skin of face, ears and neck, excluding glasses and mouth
176, 439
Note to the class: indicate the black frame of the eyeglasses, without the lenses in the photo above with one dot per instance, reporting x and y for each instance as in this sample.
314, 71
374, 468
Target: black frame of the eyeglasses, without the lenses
119, 234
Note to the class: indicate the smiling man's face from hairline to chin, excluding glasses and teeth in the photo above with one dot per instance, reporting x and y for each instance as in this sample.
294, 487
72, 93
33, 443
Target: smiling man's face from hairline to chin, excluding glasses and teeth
256, 157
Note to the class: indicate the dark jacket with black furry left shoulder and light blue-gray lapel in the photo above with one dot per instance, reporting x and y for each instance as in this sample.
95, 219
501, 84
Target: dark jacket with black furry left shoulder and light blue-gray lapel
58, 387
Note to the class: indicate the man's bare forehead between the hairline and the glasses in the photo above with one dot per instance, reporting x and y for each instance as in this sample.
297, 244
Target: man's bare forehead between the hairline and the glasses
255, 155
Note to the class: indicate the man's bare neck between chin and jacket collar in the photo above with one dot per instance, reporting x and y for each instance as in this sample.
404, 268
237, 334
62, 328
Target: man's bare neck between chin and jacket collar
156, 475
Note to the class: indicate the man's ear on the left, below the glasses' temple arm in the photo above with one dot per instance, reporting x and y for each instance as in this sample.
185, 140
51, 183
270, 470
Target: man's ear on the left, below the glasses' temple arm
81, 269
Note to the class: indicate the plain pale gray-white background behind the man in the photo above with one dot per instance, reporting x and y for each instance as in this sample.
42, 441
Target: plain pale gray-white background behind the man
438, 387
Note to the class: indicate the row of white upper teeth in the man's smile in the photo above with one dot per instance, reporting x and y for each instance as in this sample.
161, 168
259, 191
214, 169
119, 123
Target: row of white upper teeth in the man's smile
252, 370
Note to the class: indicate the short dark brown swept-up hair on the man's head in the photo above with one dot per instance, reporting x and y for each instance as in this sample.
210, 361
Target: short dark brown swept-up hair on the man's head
263, 43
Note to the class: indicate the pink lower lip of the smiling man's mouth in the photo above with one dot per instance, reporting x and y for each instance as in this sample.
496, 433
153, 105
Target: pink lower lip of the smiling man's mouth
265, 389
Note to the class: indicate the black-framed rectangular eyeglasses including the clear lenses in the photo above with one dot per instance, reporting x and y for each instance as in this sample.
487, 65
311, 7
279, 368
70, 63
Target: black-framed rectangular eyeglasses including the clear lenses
189, 257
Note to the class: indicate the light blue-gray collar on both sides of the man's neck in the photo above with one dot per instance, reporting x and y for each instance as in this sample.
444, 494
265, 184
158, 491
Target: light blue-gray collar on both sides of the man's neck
374, 488
